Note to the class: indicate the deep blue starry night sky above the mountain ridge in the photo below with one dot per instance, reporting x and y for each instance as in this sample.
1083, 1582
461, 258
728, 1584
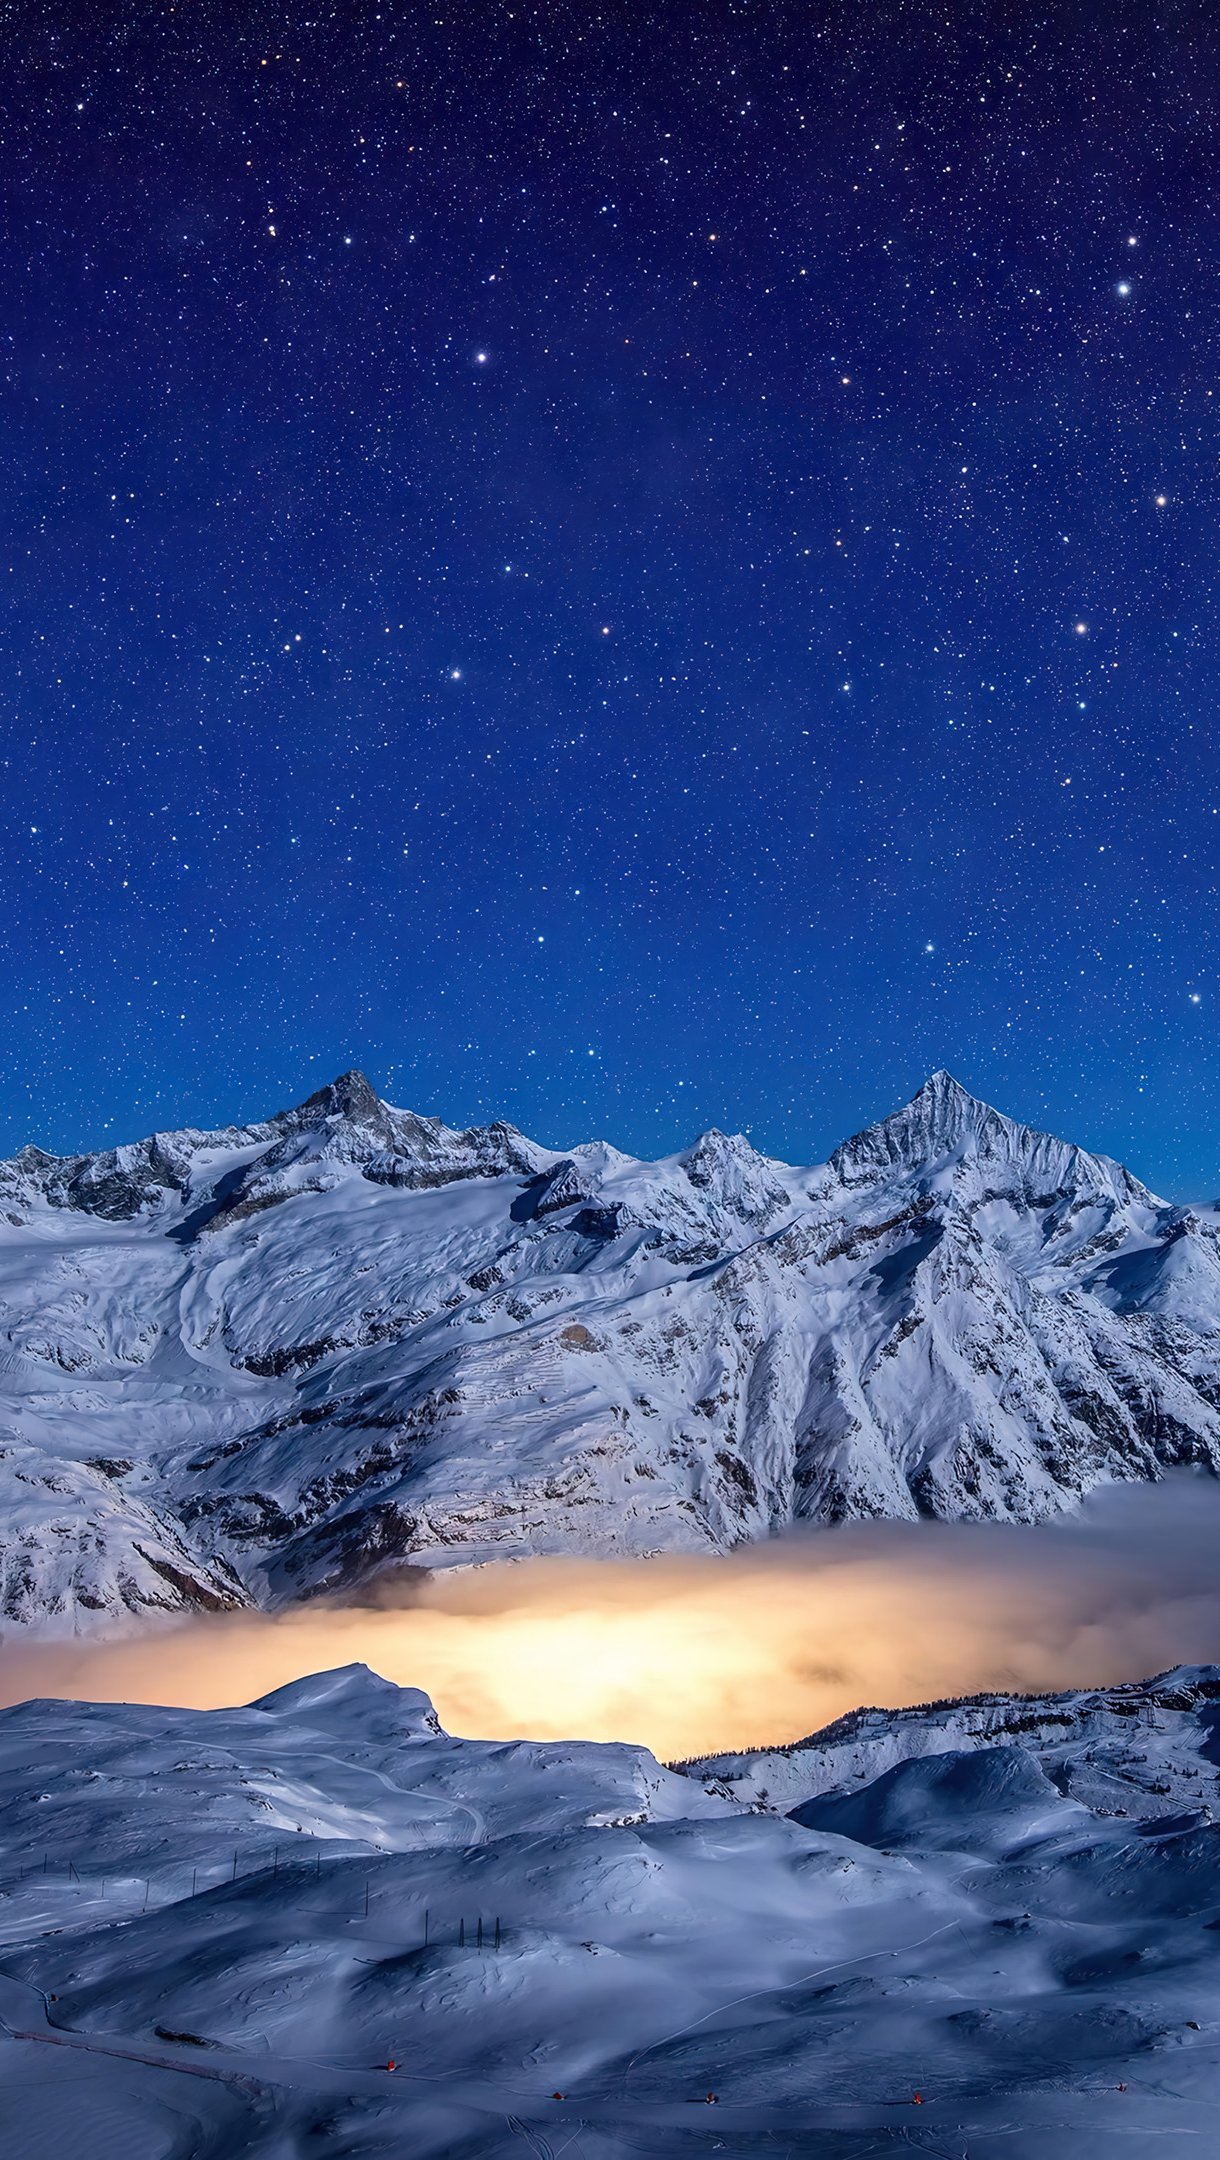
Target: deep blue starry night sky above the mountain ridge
627, 569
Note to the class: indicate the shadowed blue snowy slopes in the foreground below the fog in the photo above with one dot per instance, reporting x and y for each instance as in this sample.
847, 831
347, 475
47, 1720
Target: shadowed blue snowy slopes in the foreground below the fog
230, 1923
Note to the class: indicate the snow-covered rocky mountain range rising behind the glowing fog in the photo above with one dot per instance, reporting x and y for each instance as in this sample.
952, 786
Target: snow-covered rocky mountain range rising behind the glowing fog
260, 1364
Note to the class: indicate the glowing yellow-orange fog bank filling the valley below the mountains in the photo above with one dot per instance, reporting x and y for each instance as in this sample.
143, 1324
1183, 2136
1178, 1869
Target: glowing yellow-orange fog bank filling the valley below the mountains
692, 1656
